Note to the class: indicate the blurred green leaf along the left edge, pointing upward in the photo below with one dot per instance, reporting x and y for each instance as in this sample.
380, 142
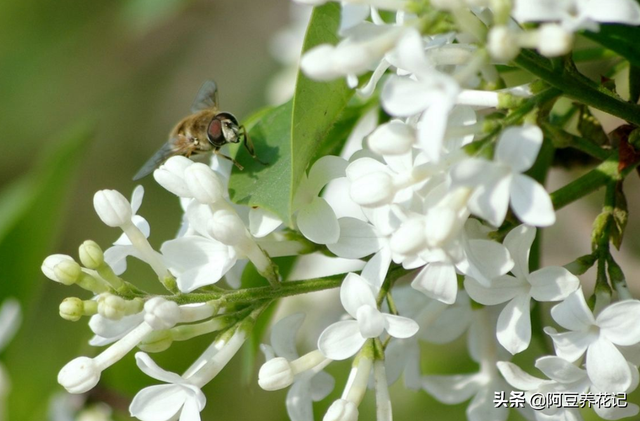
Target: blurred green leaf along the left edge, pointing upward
29, 226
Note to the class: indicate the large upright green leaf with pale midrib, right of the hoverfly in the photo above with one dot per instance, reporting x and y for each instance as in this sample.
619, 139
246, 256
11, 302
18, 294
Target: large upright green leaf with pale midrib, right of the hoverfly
287, 137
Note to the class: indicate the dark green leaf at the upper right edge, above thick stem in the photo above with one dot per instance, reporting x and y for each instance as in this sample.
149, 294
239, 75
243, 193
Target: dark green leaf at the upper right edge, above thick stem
622, 39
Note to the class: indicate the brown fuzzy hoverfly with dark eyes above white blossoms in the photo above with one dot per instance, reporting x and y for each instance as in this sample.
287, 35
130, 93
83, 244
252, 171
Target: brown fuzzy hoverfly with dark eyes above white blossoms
205, 130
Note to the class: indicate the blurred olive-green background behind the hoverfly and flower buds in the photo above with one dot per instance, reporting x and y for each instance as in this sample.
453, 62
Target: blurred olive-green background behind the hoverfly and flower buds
88, 91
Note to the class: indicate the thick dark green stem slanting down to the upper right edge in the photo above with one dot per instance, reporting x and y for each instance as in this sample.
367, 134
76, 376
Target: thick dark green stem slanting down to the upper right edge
575, 85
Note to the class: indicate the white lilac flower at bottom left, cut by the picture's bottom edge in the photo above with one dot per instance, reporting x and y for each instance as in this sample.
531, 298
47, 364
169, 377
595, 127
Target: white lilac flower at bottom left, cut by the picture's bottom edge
179, 398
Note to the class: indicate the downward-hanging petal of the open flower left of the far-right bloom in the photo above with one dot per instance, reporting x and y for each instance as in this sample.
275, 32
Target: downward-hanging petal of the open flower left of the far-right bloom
514, 325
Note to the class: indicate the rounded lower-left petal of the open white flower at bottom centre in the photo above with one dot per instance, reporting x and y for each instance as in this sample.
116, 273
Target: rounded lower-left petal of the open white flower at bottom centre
341, 340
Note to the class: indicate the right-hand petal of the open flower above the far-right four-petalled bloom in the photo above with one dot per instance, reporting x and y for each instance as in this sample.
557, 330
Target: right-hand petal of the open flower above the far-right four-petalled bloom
552, 283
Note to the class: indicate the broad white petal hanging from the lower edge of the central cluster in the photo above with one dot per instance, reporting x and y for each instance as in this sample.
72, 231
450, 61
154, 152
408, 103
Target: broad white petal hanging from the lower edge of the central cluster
438, 281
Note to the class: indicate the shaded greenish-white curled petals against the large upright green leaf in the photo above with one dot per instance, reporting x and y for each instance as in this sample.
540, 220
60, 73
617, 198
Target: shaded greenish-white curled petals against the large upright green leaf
315, 219
